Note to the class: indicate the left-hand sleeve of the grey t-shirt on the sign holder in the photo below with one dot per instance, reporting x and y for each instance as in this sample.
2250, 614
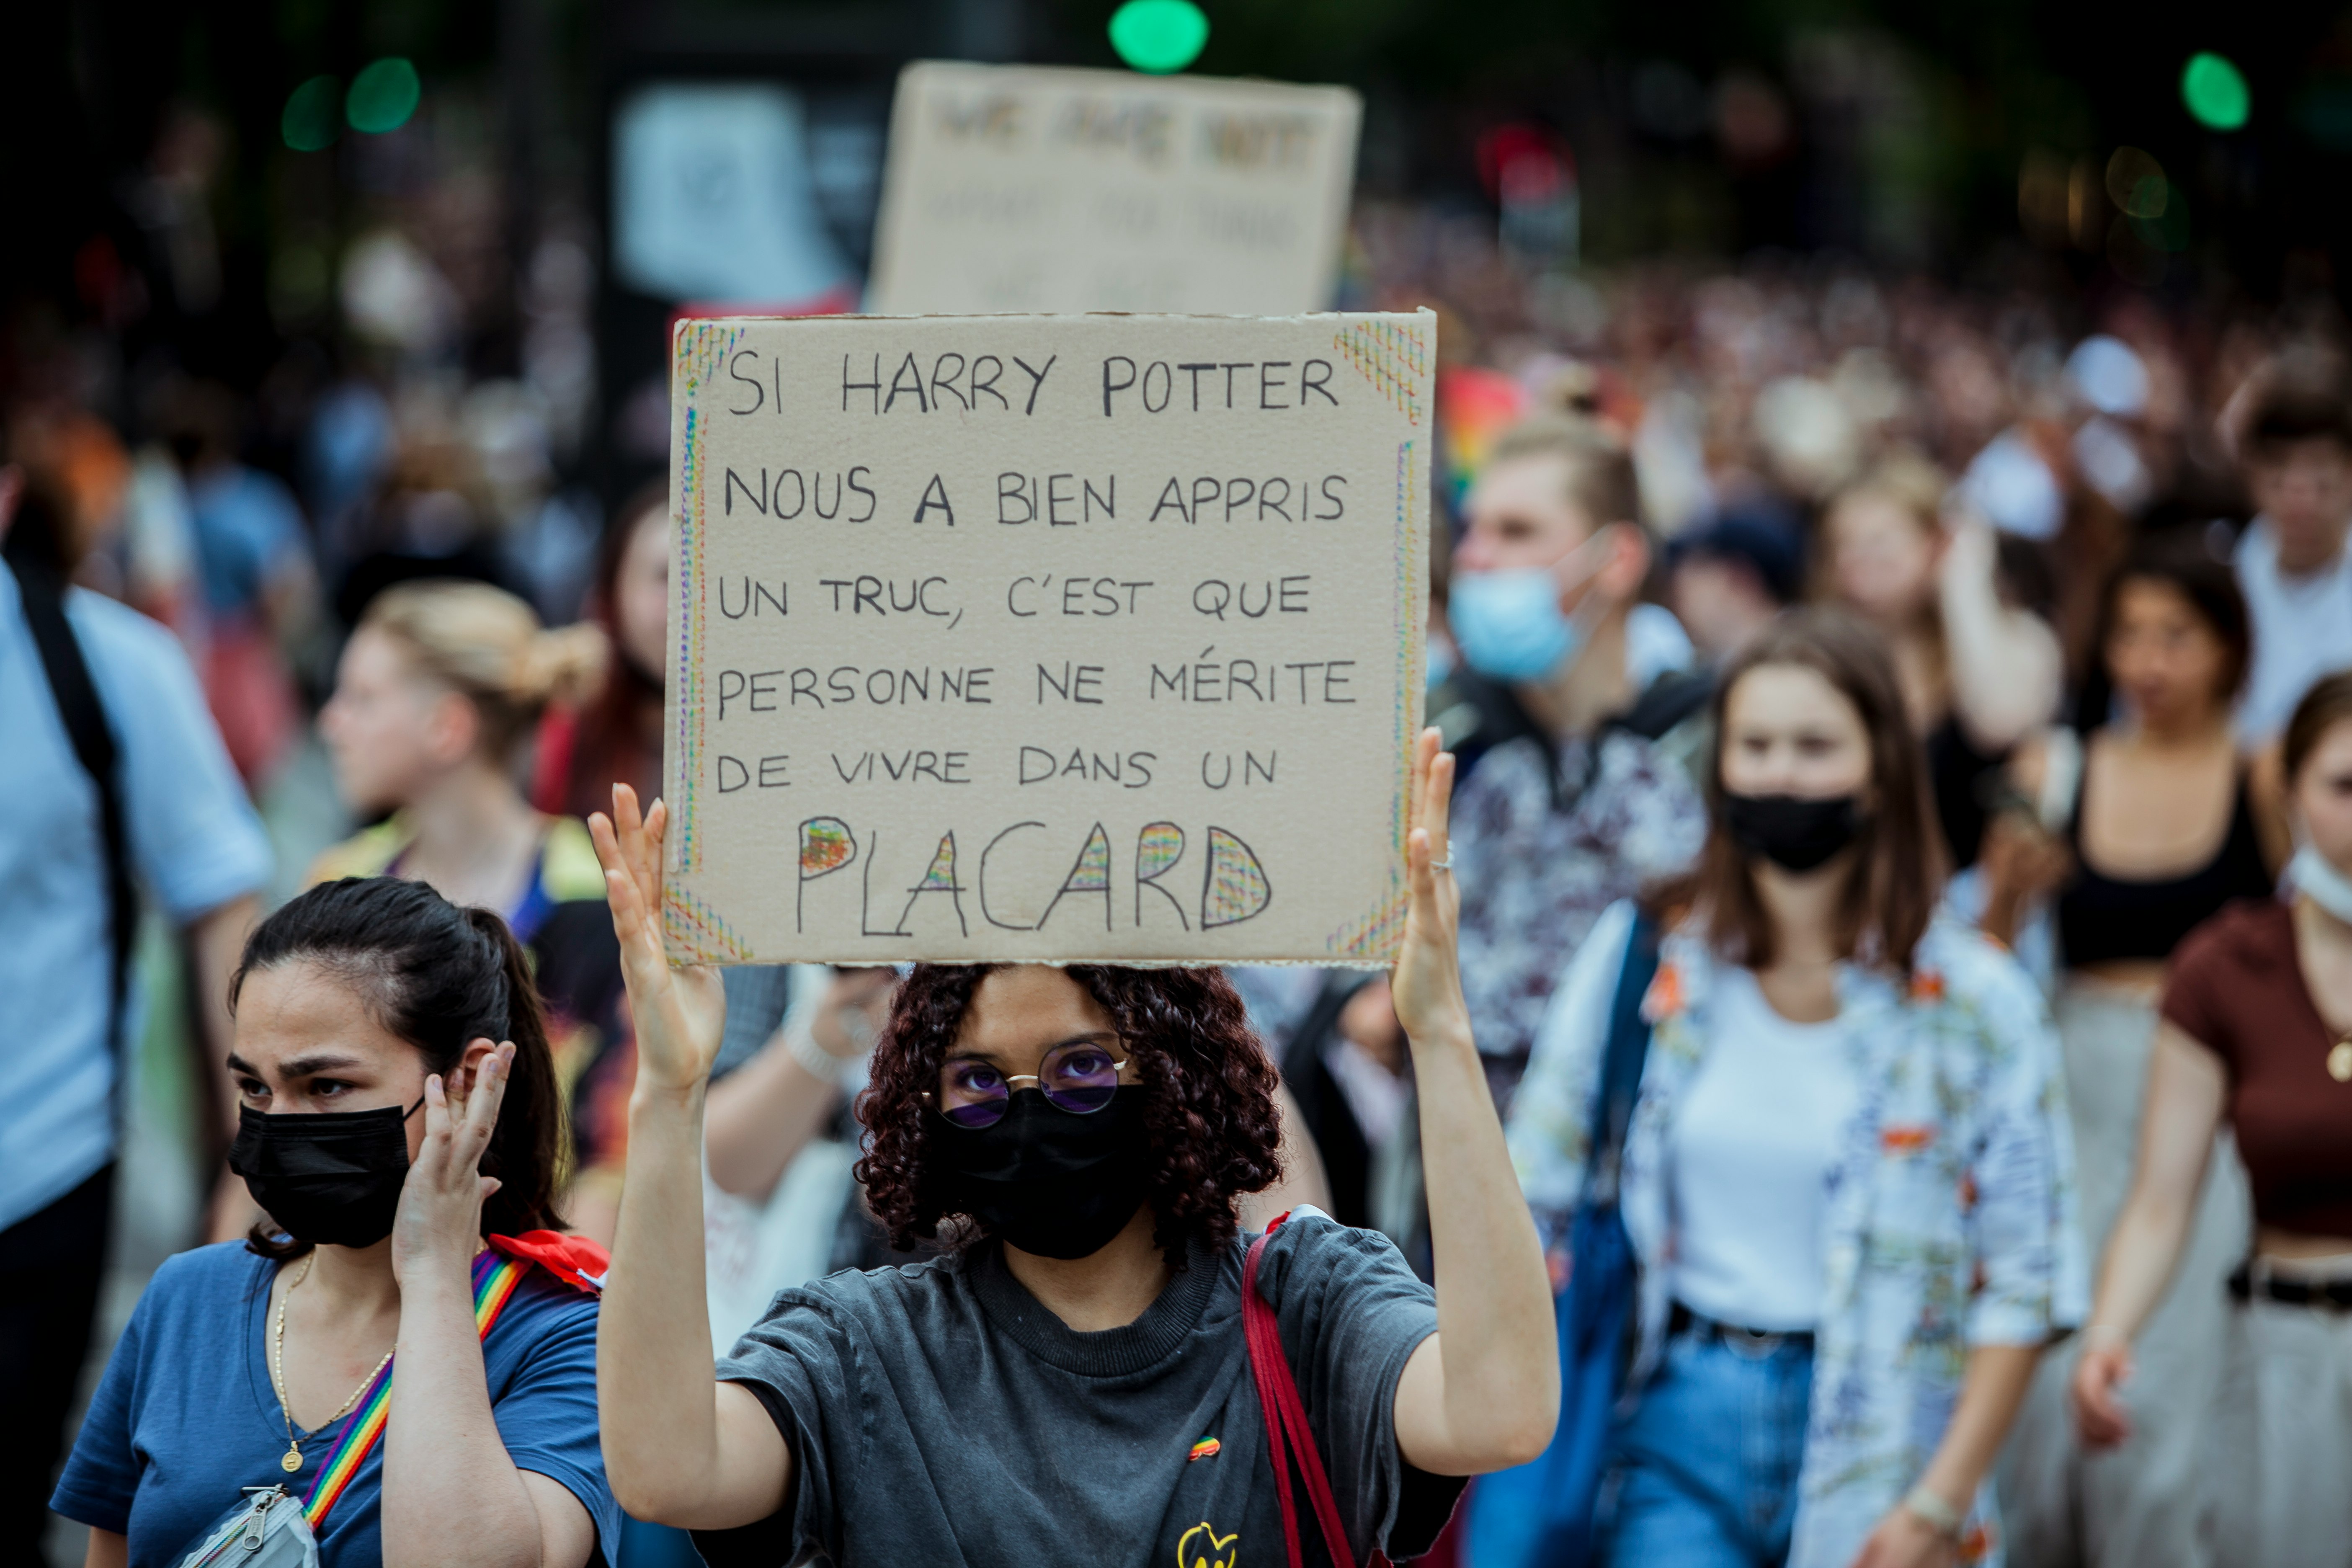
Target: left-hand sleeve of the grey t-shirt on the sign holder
801, 1367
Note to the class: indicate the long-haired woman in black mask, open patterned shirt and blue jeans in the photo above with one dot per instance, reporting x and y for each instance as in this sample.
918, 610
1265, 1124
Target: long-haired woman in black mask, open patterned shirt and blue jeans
1847, 1172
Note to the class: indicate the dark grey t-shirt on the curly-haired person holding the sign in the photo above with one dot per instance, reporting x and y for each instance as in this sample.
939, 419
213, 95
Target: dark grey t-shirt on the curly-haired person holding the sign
937, 1414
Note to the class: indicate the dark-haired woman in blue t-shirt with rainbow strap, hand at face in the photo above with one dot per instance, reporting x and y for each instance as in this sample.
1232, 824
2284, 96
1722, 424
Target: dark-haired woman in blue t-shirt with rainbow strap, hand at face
401, 1130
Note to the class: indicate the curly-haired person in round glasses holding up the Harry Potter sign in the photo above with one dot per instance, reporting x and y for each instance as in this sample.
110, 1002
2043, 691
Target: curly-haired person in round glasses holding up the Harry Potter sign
1078, 1376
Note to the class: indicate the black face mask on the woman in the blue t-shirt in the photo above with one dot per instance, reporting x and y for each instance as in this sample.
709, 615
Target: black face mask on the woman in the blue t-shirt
330, 1179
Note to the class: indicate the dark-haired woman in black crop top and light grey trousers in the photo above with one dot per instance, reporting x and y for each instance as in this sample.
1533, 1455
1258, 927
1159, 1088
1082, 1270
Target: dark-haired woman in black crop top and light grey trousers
2137, 833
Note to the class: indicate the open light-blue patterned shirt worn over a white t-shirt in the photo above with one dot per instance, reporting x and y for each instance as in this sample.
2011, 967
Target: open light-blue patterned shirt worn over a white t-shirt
1951, 1209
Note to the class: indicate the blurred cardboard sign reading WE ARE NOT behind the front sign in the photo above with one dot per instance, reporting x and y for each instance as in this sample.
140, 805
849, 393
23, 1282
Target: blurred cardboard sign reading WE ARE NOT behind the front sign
1038, 189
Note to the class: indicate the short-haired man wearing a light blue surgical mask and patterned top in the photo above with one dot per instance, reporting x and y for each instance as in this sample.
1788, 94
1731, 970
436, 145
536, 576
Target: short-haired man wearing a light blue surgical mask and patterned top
1584, 728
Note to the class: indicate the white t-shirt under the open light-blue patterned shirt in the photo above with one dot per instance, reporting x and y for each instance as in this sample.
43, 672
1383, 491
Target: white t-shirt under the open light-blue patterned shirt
1753, 1146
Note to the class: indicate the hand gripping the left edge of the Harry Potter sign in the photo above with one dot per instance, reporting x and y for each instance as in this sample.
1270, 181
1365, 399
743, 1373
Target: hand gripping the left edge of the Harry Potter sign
681, 1014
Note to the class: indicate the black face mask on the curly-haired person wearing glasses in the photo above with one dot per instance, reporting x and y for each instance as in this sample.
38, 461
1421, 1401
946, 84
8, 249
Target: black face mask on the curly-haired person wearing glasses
1050, 1181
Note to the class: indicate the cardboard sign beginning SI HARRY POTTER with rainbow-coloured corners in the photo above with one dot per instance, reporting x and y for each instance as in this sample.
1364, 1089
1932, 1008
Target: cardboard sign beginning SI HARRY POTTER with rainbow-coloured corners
1045, 638
